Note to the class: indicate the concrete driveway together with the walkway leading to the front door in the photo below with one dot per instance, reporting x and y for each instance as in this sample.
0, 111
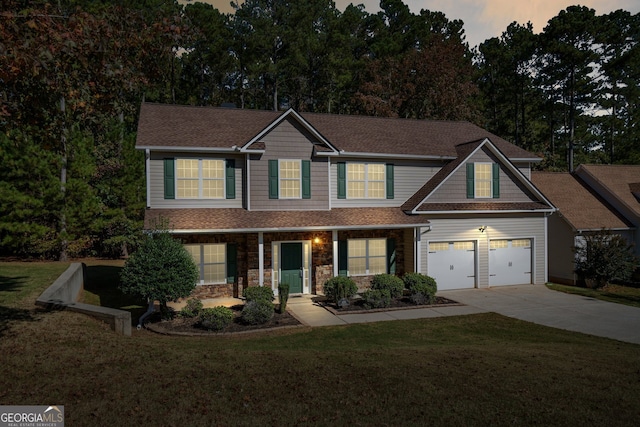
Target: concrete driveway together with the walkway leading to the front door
533, 303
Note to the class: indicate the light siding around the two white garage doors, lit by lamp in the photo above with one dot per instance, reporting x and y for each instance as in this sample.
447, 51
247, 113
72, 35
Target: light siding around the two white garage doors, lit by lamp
497, 228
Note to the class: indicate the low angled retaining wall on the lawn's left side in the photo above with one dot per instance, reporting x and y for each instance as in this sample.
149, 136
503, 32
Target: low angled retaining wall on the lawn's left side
63, 295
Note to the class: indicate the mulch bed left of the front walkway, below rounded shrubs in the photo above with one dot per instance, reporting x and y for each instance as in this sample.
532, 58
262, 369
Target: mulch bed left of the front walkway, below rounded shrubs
189, 326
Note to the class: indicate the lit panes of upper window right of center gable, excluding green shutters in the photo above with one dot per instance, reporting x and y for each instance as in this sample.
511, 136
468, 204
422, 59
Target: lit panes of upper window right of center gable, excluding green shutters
366, 181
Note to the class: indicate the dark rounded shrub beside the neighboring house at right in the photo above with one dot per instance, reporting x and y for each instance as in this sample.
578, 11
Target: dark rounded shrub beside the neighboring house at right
604, 257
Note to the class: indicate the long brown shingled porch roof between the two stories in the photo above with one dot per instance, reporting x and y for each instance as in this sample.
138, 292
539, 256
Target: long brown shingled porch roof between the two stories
238, 219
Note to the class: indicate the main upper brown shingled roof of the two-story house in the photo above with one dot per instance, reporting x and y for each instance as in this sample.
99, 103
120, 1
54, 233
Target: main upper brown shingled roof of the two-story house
166, 126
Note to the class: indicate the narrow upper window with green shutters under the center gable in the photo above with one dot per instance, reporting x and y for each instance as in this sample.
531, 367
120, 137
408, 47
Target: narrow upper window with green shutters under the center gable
289, 179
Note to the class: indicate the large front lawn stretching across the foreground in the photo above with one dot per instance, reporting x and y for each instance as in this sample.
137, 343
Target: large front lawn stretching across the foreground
467, 370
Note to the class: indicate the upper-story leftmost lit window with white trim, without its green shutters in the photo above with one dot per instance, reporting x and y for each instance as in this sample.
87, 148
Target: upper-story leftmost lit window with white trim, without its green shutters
200, 178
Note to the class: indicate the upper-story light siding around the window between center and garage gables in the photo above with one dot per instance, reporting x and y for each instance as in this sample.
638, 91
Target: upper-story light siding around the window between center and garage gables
409, 177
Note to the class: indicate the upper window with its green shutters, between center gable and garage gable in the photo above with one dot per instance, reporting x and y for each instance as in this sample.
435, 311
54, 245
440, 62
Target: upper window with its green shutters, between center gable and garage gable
365, 181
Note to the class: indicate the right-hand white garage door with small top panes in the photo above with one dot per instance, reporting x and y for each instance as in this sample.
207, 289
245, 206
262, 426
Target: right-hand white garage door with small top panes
509, 262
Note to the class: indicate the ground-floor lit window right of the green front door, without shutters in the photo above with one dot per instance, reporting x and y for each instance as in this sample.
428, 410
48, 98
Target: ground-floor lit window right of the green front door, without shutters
367, 256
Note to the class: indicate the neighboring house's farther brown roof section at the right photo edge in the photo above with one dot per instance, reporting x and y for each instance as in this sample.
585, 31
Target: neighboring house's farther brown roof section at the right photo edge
620, 180
